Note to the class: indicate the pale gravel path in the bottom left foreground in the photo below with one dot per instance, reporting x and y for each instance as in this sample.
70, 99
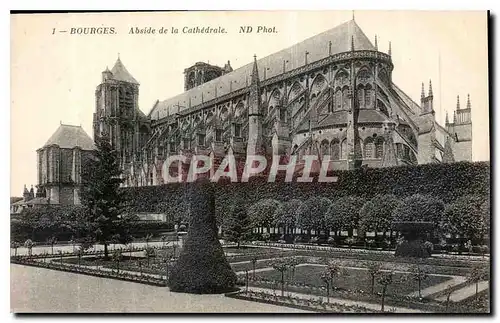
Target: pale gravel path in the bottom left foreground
39, 290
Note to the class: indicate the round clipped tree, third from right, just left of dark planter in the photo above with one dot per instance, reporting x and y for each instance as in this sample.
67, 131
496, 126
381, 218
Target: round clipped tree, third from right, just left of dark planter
376, 214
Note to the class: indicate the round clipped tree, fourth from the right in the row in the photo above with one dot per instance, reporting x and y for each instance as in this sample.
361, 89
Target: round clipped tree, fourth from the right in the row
344, 213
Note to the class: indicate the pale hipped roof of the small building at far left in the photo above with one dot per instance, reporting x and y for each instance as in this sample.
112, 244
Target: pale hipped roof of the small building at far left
68, 136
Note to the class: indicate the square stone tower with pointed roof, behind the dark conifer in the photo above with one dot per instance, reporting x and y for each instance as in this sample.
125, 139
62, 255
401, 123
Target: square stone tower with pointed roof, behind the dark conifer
117, 115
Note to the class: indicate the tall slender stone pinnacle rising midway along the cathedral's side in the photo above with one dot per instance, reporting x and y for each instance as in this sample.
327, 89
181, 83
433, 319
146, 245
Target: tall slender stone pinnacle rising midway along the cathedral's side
254, 144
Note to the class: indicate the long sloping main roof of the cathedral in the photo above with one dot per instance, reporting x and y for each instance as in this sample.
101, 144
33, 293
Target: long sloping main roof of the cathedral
317, 47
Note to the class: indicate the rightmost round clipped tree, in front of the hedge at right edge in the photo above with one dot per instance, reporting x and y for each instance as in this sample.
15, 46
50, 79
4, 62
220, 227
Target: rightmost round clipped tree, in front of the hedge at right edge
466, 217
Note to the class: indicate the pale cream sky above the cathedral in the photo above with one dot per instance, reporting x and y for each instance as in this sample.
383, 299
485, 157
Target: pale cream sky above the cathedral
54, 76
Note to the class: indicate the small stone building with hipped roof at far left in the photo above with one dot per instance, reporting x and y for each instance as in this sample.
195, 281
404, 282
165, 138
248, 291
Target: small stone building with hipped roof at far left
59, 164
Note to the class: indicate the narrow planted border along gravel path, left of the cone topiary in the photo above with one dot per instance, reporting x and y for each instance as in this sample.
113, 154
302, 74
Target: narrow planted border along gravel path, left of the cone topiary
143, 279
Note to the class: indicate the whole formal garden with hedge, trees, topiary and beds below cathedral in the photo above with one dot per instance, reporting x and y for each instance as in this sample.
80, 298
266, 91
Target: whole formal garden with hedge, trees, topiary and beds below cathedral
372, 242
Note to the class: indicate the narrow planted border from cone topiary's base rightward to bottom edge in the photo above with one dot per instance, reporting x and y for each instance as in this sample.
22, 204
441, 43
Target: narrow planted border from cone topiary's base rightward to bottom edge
312, 304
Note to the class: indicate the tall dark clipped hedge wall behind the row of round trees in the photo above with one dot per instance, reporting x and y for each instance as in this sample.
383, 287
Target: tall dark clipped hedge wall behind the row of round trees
443, 181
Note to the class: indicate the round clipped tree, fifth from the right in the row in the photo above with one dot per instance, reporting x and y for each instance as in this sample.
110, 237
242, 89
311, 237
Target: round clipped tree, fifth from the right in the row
311, 213
